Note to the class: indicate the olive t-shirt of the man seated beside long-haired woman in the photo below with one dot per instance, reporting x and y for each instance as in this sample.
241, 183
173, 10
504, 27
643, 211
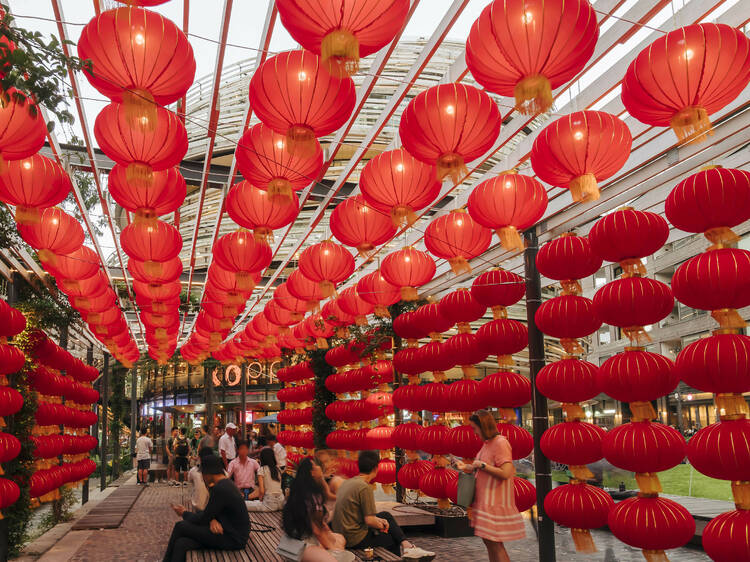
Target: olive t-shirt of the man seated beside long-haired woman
354, 501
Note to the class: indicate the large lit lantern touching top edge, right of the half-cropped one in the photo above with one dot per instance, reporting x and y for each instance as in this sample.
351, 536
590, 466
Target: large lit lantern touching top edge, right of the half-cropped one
525, 49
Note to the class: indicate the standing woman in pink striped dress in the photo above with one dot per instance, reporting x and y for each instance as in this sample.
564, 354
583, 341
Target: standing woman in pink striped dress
494, 515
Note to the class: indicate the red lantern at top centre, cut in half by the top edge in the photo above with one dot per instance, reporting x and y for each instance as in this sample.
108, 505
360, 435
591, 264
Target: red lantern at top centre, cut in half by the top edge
342, 32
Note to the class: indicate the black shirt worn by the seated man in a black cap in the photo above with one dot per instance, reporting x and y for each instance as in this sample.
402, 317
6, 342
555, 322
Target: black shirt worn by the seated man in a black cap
227, 506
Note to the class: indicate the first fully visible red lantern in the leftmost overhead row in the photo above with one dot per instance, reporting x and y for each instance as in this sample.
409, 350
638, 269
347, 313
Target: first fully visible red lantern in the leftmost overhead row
56, 233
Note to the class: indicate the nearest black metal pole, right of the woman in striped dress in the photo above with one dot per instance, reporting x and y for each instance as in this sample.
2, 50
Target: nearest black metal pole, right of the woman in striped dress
542, 466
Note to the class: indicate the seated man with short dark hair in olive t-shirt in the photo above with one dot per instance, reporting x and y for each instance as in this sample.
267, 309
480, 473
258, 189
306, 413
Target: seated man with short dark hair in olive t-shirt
356, 519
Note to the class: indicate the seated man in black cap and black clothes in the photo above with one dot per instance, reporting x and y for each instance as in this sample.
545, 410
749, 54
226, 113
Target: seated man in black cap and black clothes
223, 525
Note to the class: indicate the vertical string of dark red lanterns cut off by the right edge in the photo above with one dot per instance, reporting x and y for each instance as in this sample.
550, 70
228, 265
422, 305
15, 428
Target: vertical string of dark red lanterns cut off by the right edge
716, 280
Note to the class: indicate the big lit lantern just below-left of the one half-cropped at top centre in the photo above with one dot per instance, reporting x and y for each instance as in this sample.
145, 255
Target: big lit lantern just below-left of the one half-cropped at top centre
291, 95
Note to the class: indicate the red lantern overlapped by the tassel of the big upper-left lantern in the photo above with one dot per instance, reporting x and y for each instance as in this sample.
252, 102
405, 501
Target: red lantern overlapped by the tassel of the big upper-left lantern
142, 151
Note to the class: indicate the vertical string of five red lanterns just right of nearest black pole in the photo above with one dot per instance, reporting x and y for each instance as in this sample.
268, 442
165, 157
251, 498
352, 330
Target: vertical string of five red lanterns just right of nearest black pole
570, 381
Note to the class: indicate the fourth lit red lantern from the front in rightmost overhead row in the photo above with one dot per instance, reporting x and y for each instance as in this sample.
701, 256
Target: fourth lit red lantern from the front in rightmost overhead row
457, 238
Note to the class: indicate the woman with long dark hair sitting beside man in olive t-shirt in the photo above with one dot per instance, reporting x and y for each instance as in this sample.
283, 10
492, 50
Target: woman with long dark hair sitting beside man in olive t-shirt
305, 517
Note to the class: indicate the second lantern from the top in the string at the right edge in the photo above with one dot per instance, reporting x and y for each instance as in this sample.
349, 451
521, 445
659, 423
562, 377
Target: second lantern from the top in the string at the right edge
717, 280
